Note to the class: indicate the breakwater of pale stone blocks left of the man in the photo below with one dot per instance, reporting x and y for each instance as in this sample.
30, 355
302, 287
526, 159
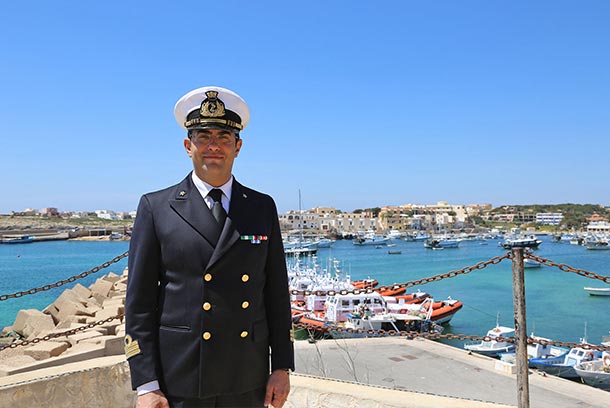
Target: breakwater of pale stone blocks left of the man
73, 309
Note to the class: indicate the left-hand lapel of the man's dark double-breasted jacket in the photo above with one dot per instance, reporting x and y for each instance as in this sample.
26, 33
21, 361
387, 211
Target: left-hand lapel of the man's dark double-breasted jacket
191, 207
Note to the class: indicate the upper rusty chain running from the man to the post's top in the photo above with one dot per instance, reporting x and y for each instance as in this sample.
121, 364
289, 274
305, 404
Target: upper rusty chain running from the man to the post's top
451, 274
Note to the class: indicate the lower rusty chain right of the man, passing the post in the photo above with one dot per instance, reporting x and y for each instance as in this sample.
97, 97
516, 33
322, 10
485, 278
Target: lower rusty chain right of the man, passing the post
449, 336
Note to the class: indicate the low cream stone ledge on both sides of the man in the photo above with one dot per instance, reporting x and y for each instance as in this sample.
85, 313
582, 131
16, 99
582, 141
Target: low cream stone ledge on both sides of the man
104, 382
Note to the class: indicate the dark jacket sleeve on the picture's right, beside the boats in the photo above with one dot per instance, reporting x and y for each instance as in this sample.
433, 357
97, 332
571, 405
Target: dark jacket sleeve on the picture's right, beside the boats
277, 299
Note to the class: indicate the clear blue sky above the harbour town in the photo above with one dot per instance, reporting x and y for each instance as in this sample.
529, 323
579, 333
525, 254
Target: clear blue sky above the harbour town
357, 104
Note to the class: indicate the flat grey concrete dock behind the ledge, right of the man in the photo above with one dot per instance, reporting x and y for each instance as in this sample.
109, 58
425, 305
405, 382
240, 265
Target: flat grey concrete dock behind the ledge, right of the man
426, 367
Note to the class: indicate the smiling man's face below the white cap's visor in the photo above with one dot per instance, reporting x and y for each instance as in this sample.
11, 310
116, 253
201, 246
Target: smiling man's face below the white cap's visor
213, 152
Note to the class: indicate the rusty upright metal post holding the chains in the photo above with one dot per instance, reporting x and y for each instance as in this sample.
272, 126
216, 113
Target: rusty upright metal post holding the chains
523, 393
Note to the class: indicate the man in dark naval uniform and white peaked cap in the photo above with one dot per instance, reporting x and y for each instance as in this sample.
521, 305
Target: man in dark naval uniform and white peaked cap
207, 311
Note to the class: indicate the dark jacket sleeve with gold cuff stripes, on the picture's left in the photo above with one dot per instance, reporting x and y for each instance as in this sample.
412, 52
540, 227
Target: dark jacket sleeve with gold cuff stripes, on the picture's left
144, 266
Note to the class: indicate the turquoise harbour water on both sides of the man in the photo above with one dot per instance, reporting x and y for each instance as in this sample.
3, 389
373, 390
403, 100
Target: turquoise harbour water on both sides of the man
557, 305
